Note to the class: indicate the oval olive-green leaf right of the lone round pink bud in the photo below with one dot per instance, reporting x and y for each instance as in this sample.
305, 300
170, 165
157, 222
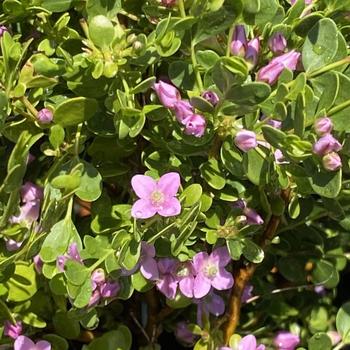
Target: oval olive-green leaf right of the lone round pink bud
74, 111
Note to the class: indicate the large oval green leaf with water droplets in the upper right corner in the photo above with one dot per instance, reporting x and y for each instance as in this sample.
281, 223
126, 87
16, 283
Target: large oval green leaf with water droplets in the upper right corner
320, 45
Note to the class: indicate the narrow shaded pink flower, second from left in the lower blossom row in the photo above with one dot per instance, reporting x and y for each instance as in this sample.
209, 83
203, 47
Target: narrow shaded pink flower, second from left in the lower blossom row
167, 282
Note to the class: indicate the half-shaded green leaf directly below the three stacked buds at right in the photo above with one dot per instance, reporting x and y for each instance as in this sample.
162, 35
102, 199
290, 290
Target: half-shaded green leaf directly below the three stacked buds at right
326, 184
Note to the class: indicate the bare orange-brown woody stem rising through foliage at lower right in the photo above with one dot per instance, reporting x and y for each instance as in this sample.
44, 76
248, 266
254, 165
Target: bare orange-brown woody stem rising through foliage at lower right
245, 272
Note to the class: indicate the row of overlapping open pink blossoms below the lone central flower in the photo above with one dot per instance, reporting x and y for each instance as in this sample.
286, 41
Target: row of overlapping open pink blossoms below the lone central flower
195, 278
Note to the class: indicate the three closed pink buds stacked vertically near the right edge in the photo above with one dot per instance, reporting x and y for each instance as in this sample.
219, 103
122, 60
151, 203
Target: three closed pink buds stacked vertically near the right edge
327, 145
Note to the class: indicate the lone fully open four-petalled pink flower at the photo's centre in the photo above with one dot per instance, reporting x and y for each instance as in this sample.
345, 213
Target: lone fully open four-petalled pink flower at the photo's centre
156, 196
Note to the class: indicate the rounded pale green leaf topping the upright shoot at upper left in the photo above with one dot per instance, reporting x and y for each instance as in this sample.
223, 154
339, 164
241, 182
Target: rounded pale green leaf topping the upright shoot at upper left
101, 31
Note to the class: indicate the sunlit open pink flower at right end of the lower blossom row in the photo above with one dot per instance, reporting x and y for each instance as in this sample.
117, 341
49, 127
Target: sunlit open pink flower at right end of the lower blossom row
210, 272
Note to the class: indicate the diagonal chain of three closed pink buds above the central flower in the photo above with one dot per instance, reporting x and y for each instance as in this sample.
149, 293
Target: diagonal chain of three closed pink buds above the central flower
170, 97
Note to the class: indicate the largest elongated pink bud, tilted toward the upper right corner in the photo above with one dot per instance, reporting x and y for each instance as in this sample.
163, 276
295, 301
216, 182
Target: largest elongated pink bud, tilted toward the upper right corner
271, 72
